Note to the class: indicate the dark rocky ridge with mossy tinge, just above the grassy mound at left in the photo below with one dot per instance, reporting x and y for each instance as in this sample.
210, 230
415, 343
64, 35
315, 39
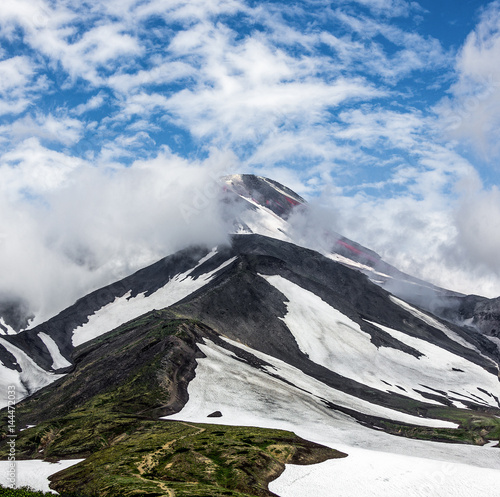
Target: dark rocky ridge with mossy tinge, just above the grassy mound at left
152, 358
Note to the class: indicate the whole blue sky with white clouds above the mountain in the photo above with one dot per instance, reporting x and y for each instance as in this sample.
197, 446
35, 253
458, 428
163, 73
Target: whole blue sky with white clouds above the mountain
387, 112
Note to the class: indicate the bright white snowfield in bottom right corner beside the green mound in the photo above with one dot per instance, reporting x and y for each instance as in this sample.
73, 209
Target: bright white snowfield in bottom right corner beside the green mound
365, 473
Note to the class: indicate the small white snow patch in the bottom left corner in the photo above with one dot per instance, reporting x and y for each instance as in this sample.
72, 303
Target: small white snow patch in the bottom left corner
34, 473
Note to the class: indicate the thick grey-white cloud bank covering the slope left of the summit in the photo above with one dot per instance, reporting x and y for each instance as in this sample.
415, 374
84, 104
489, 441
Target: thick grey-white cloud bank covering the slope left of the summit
82, 227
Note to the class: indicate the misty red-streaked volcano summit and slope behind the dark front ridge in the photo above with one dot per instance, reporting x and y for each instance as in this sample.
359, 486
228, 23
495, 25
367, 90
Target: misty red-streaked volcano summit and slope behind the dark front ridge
276, 211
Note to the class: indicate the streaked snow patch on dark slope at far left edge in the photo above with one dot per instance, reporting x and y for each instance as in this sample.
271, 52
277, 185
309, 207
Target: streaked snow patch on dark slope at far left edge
31, 378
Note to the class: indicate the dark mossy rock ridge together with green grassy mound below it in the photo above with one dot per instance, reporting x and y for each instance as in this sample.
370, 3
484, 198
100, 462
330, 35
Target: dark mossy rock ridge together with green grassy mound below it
110, 418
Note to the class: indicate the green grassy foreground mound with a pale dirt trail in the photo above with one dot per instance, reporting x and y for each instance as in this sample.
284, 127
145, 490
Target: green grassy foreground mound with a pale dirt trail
188, 459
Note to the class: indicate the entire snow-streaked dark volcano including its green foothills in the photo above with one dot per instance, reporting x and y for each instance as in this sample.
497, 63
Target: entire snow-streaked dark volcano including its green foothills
214, 369
